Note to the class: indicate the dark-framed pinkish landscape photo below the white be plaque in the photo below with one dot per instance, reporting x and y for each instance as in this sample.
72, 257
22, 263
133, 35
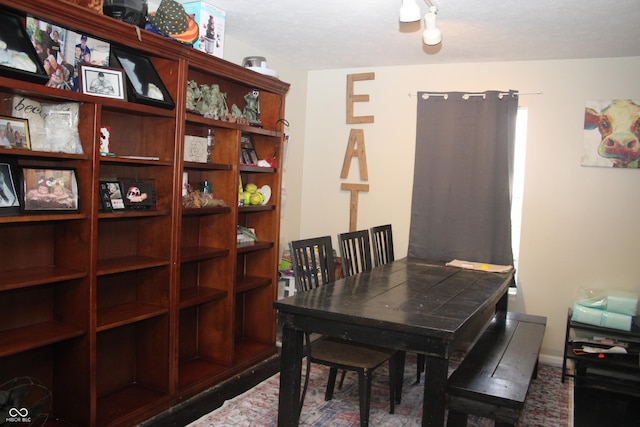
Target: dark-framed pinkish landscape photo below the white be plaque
49, 189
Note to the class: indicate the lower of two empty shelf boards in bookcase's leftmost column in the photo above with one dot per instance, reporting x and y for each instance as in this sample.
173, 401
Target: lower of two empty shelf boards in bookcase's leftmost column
14, 341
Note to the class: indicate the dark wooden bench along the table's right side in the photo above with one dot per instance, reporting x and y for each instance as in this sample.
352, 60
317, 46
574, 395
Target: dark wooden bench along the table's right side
493, 379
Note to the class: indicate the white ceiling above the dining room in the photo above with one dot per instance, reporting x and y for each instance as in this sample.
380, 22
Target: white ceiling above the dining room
327, 34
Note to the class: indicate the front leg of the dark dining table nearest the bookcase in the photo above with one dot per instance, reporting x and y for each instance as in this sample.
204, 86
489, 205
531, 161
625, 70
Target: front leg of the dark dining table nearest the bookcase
290, 378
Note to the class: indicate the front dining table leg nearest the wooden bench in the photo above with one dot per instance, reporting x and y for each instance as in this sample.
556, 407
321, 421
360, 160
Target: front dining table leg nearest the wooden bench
435, 382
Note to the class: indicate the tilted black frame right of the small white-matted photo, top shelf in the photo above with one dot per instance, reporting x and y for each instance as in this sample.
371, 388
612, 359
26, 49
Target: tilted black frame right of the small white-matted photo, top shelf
143, 82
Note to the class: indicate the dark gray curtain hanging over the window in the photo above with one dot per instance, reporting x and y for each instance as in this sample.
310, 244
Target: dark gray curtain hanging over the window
461, 205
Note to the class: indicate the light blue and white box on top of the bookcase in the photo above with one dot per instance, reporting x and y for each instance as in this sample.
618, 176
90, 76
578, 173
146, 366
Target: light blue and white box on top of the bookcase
211, 21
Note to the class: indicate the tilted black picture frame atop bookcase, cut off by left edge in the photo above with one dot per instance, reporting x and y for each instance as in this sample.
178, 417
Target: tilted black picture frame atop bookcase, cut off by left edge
13, 33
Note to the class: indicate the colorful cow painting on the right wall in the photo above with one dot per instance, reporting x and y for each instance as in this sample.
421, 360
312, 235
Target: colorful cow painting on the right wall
612, 132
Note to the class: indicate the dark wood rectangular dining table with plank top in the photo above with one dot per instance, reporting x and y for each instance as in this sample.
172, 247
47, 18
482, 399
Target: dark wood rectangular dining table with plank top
410, 304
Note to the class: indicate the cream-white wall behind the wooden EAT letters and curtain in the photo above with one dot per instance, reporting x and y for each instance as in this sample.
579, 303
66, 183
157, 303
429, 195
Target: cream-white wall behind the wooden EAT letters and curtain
578, 225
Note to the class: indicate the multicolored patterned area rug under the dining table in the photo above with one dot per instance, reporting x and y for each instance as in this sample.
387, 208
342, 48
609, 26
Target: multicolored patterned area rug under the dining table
549, 403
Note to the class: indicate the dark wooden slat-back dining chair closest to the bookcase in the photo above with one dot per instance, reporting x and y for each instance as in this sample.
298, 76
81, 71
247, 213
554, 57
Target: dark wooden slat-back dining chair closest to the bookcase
313, 266
